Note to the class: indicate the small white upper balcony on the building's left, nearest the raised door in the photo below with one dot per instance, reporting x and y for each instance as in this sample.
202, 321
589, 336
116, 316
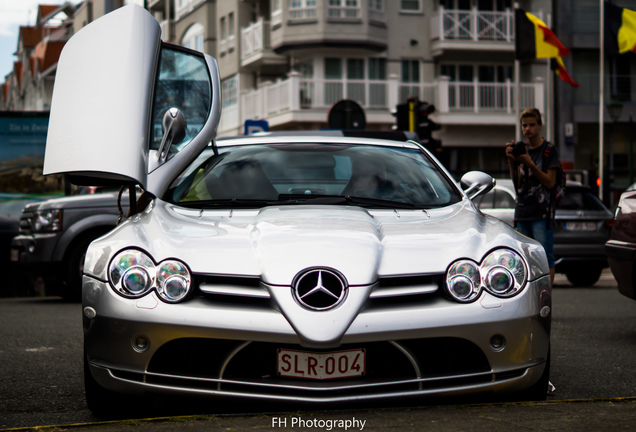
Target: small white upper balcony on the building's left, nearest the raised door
256, 51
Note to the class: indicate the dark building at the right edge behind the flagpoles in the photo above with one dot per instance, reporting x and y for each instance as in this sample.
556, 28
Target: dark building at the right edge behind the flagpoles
577, 110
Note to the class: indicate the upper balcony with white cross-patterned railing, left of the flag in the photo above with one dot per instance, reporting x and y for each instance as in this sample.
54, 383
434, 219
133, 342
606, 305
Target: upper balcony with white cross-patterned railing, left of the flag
472, 29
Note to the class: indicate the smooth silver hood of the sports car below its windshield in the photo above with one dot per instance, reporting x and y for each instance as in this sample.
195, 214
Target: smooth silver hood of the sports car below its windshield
275, 243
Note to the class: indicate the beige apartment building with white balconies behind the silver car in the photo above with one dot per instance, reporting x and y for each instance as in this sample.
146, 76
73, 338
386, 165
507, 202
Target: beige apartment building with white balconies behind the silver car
289, 61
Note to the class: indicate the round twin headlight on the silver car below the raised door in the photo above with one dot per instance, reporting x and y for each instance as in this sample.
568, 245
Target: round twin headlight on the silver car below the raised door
134, 274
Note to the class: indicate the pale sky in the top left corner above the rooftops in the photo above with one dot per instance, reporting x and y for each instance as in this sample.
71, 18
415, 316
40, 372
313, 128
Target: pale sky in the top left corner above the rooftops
13, 14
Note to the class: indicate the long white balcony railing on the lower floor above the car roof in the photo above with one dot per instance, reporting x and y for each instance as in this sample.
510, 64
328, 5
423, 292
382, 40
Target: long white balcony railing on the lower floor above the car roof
297, 94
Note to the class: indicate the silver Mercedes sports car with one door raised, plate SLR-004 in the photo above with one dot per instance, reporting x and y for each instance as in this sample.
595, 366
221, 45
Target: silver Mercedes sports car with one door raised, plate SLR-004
300, 268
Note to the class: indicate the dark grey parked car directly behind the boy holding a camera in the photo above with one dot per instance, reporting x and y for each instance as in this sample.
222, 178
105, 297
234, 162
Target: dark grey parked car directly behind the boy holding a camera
582, 227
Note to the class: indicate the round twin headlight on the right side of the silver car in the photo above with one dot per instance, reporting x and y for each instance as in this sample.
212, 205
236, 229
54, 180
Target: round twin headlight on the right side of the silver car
502, 273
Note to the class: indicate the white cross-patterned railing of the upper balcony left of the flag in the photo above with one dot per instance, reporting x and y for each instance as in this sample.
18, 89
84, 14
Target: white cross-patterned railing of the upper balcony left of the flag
473, 25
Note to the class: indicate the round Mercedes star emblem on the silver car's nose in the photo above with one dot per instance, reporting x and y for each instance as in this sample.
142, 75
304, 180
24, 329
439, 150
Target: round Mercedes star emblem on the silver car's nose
320, 289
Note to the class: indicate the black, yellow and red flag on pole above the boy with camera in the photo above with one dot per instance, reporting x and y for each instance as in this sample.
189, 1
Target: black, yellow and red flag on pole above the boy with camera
533, 39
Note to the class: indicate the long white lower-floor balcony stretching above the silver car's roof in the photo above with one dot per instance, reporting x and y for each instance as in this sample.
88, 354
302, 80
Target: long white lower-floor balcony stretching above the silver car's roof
298, 99
